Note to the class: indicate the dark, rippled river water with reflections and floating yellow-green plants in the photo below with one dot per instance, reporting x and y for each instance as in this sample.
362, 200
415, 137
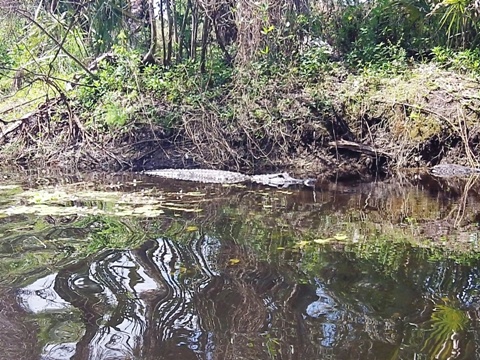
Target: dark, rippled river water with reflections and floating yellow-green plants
126, 266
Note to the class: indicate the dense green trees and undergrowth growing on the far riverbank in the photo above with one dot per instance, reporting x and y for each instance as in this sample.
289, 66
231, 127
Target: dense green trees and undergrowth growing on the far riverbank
258, 80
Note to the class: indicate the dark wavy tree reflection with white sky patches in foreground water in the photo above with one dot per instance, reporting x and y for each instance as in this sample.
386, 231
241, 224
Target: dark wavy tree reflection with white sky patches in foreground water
188, 301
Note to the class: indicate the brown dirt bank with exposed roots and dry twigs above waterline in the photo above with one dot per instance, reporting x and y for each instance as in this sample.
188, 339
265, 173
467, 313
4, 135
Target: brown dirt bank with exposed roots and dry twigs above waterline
345, 125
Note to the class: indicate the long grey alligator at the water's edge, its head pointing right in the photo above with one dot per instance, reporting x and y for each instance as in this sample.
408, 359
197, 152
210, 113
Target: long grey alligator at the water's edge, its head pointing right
280, 180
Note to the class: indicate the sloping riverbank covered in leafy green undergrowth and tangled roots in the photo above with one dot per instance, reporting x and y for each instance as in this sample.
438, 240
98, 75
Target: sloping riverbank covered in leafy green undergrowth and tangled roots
254, 119
